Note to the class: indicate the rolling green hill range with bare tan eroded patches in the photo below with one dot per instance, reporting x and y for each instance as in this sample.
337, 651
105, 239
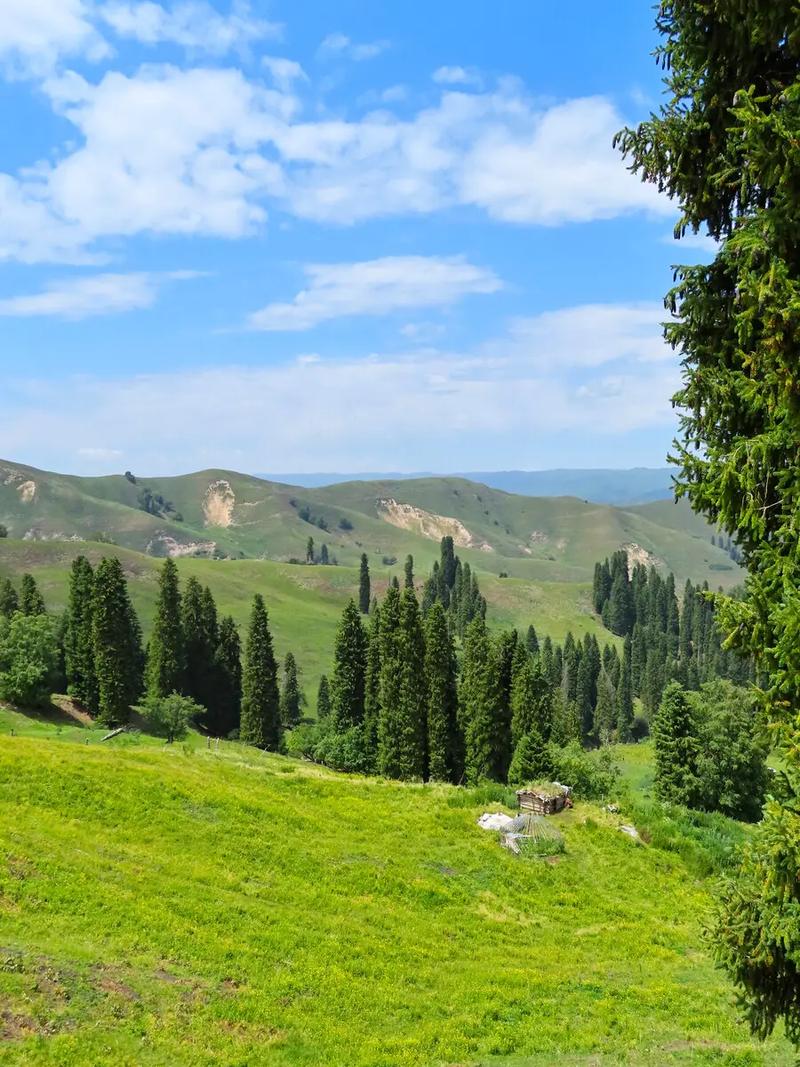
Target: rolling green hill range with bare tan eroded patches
223, 514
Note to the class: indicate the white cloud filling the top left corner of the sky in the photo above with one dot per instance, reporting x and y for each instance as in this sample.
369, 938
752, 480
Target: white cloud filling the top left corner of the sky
37, 35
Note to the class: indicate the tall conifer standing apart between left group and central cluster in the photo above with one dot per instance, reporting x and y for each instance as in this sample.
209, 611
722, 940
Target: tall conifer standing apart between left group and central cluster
261, 716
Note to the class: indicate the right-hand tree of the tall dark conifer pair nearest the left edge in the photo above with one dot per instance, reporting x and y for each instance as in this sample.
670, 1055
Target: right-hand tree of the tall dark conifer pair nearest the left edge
118, 645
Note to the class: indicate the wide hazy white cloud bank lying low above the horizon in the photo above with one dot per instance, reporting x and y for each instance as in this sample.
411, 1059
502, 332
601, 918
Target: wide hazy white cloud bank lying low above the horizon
427, 407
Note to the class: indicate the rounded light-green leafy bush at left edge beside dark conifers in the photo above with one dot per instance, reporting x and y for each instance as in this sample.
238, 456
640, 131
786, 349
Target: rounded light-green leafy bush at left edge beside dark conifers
29, 660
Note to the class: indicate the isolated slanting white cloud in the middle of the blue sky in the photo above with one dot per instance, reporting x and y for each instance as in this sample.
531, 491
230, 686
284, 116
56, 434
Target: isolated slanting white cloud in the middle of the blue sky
376, 288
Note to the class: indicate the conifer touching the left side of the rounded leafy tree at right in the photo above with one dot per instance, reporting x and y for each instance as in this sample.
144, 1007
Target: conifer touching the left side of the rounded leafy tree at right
676, 747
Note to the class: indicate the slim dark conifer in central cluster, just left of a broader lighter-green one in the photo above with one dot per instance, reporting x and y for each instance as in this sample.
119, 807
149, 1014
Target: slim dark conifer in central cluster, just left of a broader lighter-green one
442, 711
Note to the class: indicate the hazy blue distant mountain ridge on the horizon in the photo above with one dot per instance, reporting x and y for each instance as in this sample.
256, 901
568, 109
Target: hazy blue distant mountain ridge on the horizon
601, 486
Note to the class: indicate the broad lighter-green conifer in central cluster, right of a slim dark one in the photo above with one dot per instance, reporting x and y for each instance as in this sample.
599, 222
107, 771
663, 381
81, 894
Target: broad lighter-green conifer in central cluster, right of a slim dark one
479, 706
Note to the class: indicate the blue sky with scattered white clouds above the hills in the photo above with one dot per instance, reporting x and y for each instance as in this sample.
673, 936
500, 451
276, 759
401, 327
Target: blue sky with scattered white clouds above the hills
321, 236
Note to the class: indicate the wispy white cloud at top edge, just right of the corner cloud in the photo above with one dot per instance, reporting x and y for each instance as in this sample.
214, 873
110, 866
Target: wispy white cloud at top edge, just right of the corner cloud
193, 24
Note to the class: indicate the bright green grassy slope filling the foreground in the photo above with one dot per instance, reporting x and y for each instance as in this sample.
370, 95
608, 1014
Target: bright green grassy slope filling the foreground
172, 905
